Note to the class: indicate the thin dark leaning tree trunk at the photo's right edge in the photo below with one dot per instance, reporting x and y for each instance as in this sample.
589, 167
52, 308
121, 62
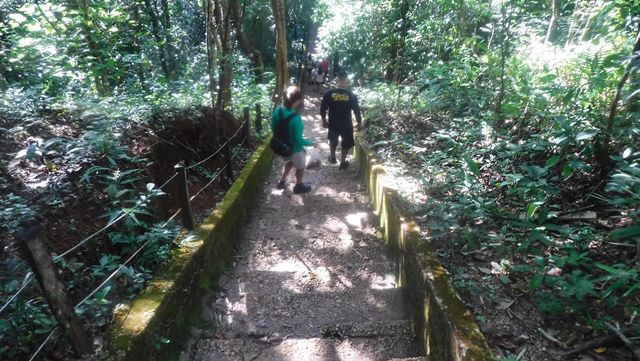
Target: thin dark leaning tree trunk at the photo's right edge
603, 147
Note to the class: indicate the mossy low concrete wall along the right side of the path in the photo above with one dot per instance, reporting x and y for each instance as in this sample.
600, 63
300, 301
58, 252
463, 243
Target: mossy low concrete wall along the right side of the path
442, 323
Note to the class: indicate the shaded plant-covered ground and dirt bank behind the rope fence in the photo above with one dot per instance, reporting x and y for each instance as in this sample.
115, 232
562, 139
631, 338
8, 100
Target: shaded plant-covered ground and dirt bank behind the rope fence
68, 192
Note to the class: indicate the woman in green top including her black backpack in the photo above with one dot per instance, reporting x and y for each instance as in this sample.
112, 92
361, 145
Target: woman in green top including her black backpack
287, 127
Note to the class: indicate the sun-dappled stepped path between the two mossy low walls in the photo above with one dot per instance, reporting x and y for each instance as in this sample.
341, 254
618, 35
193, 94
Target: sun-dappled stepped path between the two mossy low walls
311, 280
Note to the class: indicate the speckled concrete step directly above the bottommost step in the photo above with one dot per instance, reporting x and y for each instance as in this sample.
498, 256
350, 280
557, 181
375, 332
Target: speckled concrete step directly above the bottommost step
284, 310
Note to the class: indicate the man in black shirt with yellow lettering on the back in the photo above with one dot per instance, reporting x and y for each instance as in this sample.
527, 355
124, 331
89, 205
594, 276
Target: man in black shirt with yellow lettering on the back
340, 102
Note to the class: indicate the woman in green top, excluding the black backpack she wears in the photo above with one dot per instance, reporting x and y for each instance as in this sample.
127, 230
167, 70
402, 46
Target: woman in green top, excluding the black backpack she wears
289, 112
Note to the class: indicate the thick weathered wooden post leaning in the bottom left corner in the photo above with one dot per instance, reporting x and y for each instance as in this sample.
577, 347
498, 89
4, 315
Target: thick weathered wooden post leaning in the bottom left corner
55, 292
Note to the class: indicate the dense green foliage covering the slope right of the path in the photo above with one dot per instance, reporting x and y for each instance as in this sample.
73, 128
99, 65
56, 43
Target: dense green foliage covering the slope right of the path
504, 133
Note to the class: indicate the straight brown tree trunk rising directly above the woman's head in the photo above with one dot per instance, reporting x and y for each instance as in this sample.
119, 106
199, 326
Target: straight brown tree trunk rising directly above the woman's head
282, 68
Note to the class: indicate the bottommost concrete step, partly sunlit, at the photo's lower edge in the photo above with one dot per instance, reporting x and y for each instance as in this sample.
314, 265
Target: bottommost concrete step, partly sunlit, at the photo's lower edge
375, 341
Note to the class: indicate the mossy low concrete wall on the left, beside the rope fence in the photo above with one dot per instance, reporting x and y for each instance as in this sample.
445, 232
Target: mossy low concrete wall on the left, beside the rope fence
156, 323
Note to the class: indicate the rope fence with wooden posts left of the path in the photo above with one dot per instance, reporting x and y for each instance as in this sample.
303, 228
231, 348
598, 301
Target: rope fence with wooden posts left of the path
185, 210
